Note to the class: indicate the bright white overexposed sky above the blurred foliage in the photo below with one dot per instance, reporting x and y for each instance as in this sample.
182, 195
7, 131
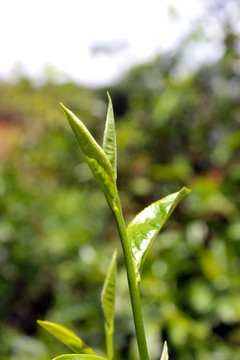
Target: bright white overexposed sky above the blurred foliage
34, 34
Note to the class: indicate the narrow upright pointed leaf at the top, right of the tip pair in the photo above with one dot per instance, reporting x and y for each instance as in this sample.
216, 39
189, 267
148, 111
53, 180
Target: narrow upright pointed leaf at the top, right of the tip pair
109, 138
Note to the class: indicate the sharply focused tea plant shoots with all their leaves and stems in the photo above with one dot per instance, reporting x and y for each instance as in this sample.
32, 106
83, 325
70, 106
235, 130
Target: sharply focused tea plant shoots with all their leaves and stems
136, 240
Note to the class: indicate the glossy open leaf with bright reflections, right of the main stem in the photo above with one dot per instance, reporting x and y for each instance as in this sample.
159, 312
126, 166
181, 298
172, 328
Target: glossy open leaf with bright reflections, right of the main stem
146, 225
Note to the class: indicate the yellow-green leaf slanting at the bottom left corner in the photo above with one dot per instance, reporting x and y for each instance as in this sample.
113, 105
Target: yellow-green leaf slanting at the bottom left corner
66, 336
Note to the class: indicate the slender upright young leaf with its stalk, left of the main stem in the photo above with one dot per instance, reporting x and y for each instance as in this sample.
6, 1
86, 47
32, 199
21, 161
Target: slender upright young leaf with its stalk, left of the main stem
108, 302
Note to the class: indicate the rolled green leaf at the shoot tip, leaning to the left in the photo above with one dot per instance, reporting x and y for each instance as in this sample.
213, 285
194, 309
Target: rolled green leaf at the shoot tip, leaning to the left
94, 155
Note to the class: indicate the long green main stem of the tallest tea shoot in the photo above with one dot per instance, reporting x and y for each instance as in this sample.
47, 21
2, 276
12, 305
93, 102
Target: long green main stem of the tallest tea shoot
132, 282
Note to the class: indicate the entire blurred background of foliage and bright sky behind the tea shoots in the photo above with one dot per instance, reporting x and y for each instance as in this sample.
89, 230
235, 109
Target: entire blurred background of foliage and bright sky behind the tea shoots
177, 108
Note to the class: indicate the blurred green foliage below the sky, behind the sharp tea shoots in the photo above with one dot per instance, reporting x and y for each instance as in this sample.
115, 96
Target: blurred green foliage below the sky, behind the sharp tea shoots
57, 234
